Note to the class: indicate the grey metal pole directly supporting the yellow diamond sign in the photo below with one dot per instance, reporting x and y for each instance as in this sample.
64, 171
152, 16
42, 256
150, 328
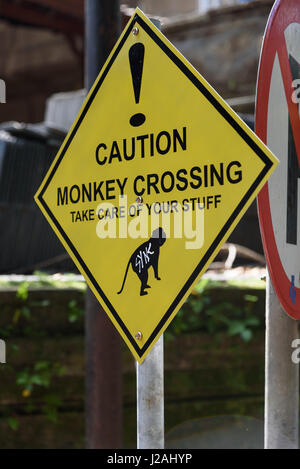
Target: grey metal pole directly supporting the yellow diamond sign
150, 399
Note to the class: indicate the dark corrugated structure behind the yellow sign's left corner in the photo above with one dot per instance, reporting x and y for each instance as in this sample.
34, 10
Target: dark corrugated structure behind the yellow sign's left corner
28, 243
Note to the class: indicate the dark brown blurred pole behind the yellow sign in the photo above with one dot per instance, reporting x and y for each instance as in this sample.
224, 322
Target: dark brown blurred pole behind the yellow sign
103, 395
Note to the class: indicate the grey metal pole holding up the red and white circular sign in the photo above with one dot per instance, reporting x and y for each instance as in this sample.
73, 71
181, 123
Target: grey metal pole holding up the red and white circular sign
281, 376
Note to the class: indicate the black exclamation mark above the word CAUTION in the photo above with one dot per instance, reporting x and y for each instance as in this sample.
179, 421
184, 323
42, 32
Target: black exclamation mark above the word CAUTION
136, 59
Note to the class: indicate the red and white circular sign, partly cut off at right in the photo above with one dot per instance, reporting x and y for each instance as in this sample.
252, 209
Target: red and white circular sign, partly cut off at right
278, 125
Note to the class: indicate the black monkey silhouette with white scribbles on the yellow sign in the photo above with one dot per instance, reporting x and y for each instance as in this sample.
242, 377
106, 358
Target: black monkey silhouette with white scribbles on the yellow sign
146, 255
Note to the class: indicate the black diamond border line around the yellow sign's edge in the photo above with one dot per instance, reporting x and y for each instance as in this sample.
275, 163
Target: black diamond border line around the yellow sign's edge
268, 165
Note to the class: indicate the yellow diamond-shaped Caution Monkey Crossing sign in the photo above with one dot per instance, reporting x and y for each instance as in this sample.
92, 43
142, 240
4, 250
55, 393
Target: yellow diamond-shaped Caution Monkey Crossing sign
153, 176
